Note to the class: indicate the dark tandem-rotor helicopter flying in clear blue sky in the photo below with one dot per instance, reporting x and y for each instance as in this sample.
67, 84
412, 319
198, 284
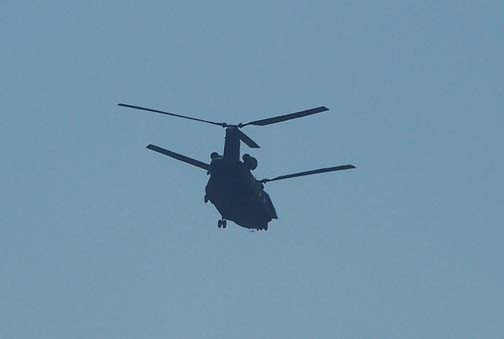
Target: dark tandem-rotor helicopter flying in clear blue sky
232, 188
